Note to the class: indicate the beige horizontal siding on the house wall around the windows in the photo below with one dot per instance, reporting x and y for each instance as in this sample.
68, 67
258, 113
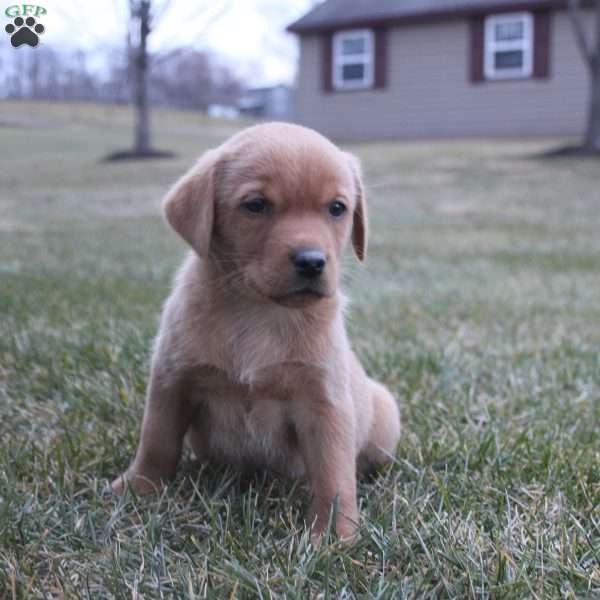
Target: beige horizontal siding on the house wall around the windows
429, 93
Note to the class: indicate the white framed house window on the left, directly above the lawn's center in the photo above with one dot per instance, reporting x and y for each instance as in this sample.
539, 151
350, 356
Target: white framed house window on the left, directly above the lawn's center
353, 59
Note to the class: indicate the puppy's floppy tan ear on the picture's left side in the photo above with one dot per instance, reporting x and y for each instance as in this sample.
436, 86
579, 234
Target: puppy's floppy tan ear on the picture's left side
189, 205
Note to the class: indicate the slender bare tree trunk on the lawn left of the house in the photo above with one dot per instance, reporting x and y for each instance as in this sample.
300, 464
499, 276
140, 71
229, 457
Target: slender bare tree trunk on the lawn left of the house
140, 80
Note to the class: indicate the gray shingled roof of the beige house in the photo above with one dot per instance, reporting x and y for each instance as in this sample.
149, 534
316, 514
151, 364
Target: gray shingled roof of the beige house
335, 13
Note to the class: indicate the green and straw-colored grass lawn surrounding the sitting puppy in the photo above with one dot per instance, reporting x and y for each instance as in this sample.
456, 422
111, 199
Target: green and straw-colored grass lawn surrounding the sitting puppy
479, 306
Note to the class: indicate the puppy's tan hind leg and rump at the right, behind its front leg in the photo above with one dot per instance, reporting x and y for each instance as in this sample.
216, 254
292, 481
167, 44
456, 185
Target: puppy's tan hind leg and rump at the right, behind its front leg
384, 432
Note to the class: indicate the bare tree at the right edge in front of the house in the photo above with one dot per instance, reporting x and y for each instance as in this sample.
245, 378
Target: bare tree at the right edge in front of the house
590, 50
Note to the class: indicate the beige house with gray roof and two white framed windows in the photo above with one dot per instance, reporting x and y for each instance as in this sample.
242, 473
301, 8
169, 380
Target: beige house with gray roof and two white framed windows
376, 69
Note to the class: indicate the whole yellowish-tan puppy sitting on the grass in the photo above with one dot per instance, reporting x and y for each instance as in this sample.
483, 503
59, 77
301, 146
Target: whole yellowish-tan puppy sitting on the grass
252, 364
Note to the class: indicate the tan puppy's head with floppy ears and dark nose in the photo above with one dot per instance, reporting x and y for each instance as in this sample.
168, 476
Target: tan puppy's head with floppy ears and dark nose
273, 209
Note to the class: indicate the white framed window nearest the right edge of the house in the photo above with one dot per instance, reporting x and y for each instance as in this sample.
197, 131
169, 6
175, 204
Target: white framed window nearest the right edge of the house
508, 46
